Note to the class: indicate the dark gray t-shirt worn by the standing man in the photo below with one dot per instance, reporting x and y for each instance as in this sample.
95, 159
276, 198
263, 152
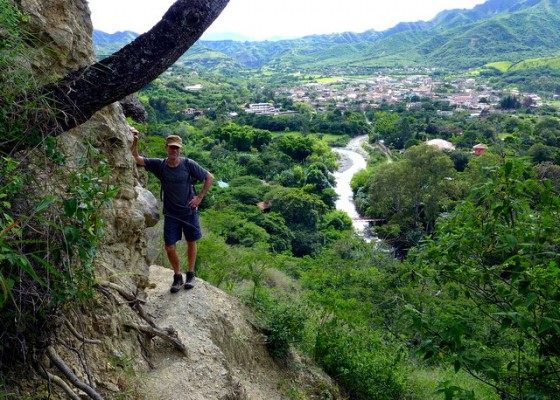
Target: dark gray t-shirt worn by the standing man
177, 183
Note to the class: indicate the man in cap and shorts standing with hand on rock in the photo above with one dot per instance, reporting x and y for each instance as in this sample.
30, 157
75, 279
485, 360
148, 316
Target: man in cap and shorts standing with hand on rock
180, 202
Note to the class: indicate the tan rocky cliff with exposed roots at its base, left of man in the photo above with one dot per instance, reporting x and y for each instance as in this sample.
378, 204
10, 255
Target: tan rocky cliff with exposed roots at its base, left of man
93, 341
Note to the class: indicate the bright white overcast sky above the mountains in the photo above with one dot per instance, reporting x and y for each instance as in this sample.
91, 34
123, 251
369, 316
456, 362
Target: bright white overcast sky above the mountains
267, 19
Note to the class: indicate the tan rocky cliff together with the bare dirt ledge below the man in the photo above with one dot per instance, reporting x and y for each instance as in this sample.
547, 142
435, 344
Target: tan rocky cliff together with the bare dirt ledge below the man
114, 346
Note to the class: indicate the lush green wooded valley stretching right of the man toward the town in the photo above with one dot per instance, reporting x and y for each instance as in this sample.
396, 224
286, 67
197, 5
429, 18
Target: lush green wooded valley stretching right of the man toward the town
463, 283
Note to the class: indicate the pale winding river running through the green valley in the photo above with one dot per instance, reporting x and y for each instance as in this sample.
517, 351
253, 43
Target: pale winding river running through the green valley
352, 159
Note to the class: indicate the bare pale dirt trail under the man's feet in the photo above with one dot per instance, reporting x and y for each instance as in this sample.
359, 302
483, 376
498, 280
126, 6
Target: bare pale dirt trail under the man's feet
226, 356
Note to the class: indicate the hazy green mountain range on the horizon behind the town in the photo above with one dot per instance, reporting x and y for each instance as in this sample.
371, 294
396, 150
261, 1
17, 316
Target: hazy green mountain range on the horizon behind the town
497, 30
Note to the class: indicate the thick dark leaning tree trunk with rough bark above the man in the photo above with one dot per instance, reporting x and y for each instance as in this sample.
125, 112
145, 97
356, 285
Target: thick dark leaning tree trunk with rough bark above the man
77, 96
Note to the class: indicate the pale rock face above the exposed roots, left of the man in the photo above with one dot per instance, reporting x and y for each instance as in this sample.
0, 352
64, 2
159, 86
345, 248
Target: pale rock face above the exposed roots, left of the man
65, 26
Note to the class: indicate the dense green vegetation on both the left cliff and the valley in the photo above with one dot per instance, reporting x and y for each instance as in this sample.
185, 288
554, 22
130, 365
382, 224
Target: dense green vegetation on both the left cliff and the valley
459, 299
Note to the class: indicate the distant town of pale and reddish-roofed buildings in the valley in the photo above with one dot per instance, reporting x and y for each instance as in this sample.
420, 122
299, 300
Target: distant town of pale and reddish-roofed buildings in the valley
462, 94
